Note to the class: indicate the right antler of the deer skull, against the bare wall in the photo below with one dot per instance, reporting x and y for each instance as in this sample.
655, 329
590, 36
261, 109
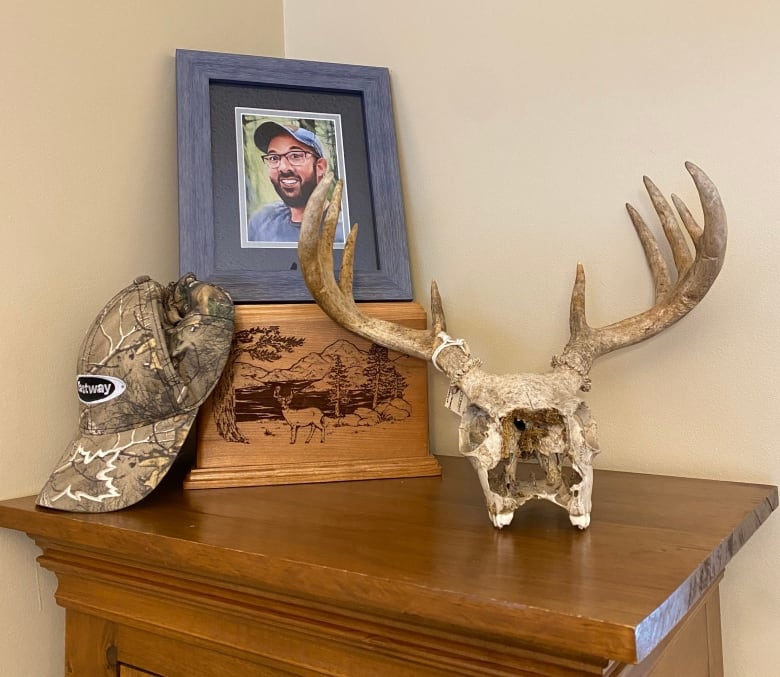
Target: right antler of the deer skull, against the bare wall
695, 275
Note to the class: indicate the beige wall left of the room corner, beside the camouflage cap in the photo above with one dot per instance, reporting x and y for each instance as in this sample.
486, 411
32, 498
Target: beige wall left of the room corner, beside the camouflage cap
89, 194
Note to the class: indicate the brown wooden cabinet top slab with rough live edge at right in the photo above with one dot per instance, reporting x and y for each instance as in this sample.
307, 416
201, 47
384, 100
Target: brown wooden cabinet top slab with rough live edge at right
422, 551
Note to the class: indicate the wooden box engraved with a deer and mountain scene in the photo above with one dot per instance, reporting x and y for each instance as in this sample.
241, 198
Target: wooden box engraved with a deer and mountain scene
303, 400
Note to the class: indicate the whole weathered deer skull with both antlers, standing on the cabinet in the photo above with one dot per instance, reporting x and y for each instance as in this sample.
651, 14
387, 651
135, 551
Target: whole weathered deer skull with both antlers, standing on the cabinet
512, 418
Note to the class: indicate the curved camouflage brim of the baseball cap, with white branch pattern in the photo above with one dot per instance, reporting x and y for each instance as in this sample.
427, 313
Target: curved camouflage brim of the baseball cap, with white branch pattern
101, 473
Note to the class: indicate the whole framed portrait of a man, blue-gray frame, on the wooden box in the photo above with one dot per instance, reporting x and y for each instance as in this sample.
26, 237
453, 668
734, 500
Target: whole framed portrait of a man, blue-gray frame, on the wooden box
255, 136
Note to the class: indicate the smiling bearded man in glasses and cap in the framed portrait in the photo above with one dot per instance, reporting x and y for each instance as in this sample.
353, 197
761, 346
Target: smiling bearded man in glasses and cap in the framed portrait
296, 163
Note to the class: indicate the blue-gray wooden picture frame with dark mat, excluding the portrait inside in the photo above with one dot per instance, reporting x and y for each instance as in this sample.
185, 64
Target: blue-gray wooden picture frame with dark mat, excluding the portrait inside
207, 82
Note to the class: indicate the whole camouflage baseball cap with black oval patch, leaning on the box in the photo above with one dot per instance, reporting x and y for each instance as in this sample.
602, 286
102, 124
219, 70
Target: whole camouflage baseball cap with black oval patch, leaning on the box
148, 362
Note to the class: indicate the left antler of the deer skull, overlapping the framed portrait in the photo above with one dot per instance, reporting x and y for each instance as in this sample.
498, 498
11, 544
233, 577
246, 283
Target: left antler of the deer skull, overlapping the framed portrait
315, 251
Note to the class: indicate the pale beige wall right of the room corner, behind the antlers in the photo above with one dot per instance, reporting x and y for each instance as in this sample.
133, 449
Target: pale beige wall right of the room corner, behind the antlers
523, 128
